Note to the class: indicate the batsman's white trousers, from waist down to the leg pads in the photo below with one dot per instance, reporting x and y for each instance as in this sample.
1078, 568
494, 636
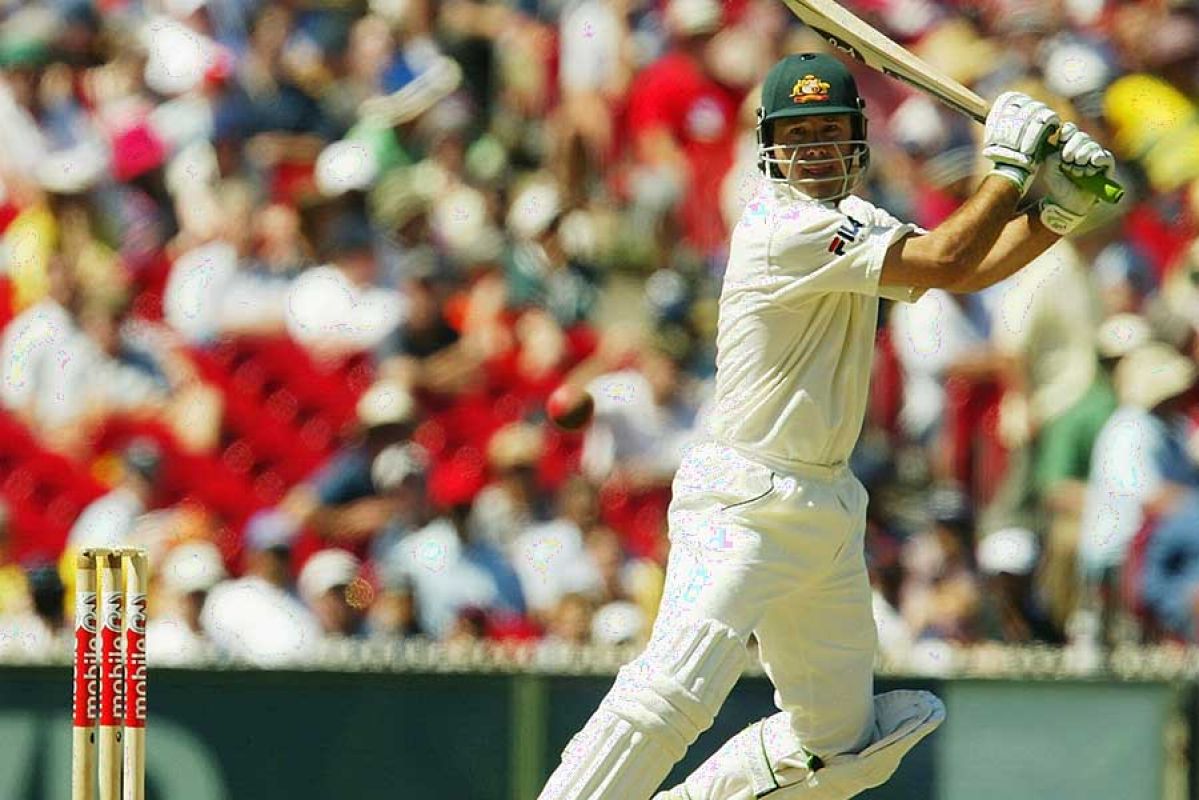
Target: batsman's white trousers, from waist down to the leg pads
781, 555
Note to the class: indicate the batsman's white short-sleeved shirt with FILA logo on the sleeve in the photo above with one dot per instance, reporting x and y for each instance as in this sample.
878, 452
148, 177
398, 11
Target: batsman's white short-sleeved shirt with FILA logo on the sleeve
796, 340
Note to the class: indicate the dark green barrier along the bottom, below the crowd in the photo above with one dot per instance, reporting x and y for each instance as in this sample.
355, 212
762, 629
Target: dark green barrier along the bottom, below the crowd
491, 735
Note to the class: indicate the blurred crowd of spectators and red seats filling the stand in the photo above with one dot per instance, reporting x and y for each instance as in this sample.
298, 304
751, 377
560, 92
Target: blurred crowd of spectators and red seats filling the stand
287, 285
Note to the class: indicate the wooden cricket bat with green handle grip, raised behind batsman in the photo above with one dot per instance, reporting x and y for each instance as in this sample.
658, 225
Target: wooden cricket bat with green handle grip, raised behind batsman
853, 37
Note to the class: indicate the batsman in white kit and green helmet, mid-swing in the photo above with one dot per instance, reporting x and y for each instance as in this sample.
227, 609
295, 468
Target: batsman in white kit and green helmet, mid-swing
767, 521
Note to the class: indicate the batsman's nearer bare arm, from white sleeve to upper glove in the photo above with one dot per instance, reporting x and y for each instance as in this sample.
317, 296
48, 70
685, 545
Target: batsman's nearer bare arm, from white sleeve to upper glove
955, 250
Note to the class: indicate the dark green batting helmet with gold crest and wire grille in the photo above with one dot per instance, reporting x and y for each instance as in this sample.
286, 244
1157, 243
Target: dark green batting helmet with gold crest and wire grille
812, 85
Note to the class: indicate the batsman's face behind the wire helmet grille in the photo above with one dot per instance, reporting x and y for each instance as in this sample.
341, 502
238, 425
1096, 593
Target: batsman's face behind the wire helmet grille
816, 152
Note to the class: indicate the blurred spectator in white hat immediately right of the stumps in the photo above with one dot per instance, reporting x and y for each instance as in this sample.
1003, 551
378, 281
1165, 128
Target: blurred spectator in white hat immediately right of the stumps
190, 572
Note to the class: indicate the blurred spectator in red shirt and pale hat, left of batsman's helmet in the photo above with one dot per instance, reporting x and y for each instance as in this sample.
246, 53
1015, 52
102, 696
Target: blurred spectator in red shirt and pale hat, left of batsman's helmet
682, 122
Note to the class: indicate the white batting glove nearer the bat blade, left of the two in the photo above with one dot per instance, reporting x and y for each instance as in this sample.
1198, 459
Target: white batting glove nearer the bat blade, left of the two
1017, 129
